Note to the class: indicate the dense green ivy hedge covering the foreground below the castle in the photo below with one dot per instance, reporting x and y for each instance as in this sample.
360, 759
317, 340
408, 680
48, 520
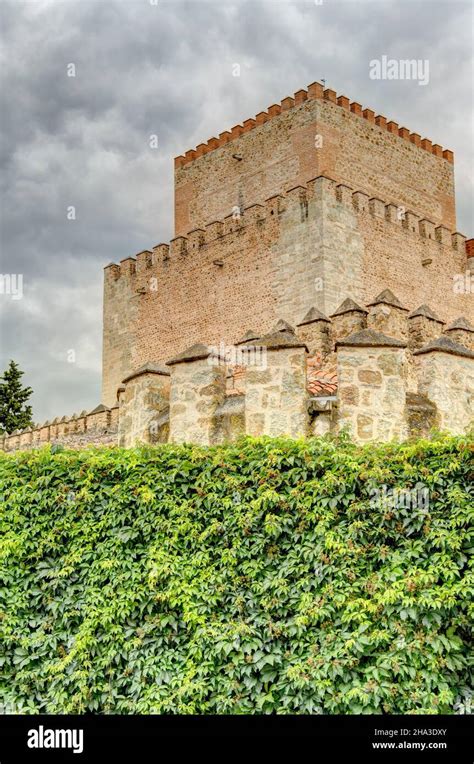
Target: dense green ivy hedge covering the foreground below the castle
265, 576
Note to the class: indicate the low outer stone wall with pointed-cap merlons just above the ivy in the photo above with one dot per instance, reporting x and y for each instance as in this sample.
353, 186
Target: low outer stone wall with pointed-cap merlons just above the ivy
326, 376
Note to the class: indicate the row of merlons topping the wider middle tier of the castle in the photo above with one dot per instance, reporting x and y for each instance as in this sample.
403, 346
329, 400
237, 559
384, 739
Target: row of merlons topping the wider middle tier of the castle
251, 219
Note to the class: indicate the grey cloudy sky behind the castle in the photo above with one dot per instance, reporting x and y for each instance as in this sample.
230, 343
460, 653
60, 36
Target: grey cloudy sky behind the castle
165, 68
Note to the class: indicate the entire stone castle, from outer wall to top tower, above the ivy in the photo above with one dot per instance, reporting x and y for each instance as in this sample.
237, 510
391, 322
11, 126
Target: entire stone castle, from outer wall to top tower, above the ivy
296, 218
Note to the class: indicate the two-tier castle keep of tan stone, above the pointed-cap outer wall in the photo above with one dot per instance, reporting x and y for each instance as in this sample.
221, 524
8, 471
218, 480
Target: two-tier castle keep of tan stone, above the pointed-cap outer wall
314, 201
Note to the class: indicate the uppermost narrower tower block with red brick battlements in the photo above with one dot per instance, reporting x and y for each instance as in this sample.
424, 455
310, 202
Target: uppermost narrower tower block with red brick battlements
313, 133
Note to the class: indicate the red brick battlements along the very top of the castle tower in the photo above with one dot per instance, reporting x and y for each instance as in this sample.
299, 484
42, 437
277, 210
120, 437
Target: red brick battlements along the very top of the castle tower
315, 91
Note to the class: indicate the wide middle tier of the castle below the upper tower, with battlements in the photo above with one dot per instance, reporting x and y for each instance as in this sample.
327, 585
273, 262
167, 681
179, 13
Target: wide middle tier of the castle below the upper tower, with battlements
312, 246
